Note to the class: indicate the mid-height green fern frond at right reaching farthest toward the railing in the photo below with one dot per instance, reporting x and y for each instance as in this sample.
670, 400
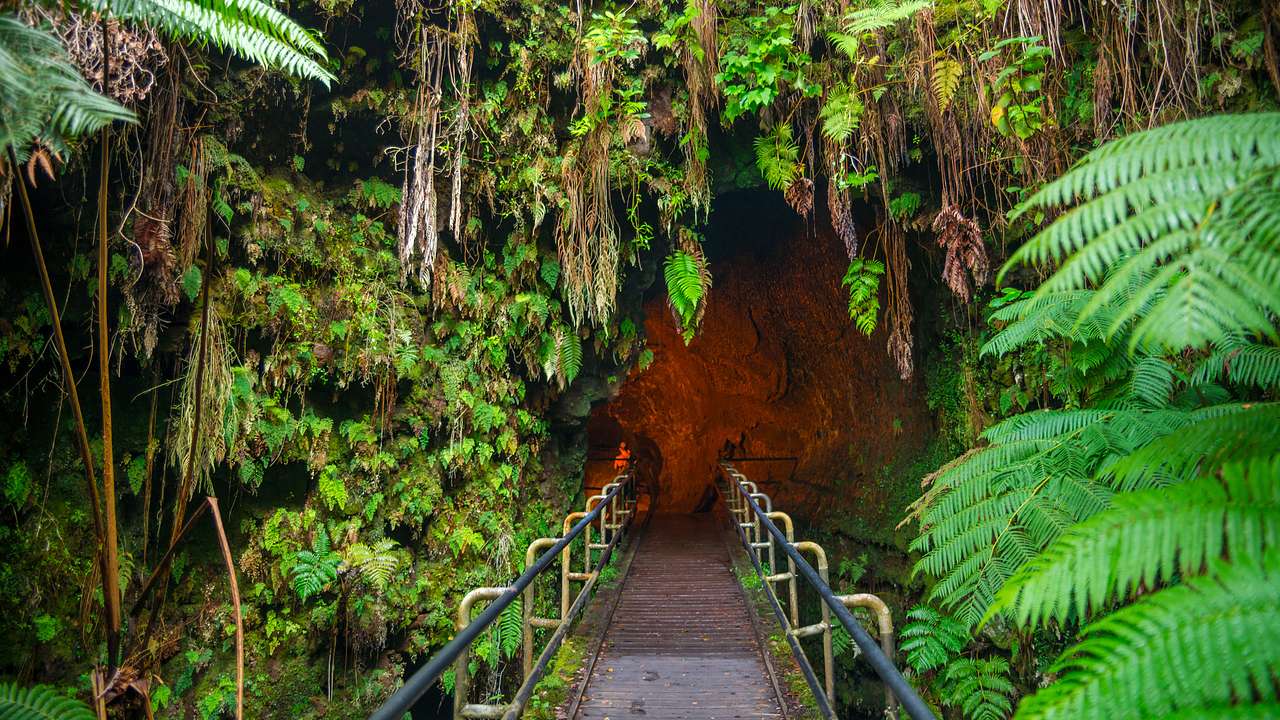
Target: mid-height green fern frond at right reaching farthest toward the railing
996, 508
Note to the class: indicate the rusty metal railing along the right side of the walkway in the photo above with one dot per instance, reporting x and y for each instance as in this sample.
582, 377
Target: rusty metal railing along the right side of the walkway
761, 536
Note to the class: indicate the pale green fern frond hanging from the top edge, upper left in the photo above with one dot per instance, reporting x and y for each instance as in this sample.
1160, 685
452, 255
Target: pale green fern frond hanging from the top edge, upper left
250, 29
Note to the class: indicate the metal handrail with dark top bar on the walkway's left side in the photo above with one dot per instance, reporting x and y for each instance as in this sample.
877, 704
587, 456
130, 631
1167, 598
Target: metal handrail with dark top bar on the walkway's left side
456, 653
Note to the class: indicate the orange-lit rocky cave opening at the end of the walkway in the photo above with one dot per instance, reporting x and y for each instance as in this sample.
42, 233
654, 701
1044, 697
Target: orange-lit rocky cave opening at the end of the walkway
776, 372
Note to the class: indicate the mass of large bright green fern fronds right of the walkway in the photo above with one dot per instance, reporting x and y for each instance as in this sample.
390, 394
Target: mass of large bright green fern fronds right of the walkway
1145, 517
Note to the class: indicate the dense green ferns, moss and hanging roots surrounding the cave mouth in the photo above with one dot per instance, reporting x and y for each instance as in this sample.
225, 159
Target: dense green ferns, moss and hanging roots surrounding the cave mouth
420, 279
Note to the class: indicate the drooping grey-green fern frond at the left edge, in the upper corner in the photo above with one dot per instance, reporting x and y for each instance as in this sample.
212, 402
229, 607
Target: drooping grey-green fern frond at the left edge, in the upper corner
44, 101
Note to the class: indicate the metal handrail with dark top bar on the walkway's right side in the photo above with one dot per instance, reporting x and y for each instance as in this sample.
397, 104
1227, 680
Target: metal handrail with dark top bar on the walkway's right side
749, 514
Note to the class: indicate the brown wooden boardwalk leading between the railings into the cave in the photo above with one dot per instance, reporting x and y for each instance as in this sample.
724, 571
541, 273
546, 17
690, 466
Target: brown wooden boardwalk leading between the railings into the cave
682, 644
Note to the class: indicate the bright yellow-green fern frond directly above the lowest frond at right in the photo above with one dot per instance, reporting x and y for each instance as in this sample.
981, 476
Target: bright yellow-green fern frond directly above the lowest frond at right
1148, 539
